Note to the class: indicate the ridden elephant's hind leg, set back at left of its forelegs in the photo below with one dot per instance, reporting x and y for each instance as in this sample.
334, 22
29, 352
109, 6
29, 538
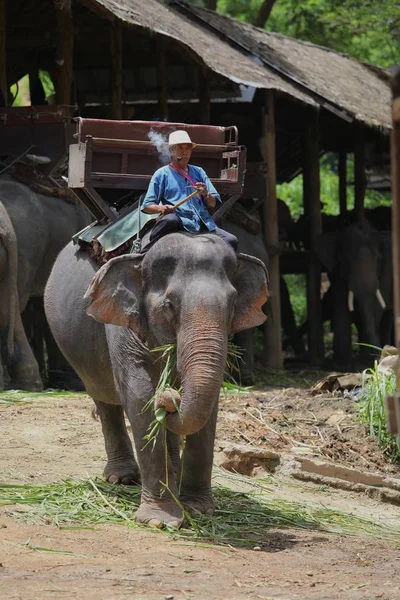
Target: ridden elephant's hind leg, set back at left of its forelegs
121, 465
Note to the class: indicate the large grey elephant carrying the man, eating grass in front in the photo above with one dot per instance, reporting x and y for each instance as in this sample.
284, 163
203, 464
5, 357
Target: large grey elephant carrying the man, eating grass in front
191, 290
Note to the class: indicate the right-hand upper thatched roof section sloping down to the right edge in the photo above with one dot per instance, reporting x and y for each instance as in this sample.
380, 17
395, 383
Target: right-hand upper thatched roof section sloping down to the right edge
361, 91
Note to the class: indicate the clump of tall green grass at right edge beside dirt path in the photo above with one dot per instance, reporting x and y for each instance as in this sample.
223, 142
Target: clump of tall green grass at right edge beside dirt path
372, 410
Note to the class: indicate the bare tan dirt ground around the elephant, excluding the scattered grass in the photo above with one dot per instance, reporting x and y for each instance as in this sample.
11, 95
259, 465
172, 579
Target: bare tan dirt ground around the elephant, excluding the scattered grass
55, 437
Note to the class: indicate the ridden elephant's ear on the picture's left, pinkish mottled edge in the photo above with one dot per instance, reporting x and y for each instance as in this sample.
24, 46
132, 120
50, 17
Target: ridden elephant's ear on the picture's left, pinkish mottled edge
115, 293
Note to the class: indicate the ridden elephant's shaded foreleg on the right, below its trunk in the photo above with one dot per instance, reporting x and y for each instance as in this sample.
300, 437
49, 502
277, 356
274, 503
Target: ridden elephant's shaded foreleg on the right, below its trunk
197, 461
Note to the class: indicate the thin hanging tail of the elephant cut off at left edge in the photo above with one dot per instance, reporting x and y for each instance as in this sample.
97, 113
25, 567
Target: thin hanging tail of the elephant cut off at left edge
9, 240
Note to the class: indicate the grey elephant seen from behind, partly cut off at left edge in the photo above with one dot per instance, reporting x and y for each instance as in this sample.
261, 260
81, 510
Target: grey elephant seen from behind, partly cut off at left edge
40, 226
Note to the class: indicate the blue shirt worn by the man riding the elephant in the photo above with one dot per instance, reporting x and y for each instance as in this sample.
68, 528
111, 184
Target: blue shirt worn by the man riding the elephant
167, 186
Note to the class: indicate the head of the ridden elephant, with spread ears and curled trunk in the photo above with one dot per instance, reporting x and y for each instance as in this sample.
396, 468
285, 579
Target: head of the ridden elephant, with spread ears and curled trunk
188, 289
